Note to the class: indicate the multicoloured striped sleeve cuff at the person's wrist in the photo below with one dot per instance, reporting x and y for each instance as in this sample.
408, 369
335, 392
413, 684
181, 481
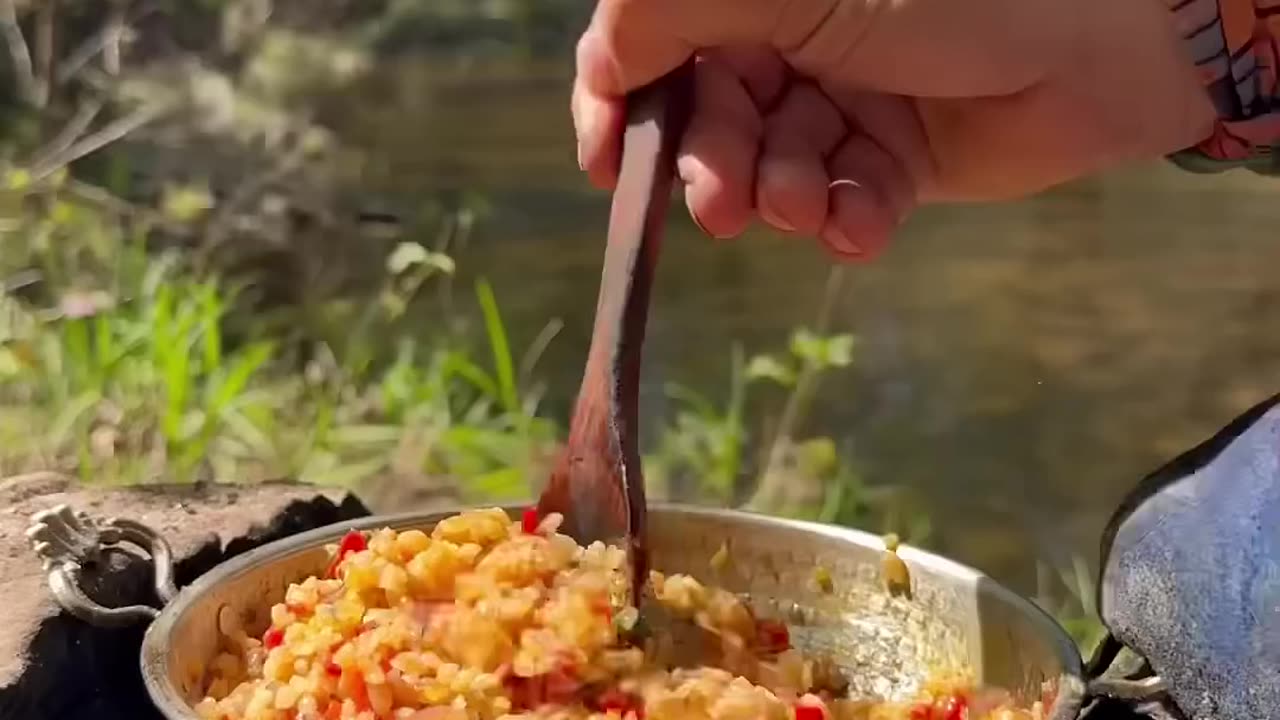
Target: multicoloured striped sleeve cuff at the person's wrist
1235, 45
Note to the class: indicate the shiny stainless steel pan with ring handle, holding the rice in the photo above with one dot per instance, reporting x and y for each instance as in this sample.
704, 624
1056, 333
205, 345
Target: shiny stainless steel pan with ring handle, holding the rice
954, 618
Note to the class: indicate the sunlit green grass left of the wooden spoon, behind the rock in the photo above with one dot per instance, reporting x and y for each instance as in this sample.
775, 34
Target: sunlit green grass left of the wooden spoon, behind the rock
143, 368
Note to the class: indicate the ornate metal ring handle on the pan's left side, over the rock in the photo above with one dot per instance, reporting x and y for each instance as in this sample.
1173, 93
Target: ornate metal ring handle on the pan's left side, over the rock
71, 543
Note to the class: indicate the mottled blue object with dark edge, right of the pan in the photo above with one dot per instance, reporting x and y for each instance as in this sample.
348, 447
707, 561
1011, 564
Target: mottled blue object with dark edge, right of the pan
1191, 573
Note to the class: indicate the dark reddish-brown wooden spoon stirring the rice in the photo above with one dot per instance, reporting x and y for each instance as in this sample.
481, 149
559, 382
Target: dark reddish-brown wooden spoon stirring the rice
597, 482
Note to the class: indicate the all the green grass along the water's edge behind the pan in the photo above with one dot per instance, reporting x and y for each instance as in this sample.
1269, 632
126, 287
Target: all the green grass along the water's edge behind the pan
136, 368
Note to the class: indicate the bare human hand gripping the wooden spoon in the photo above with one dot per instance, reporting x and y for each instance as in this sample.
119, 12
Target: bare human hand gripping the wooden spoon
836, 119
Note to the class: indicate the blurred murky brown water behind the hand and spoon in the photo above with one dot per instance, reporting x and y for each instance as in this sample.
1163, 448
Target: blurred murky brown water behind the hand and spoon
1021, 364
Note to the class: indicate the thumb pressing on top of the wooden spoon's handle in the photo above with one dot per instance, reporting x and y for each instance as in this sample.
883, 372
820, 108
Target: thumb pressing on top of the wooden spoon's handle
634, 43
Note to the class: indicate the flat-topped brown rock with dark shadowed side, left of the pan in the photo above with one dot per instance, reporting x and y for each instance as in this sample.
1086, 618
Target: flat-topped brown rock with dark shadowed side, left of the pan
58, 668
